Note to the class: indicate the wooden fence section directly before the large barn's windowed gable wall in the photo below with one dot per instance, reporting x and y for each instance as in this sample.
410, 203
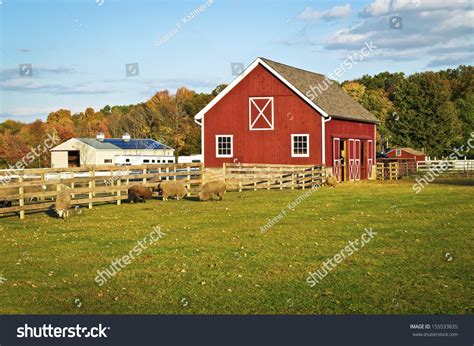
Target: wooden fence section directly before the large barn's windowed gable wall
261, 176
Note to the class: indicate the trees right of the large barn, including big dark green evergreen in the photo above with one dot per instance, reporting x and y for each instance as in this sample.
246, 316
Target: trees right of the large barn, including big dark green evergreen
428, 111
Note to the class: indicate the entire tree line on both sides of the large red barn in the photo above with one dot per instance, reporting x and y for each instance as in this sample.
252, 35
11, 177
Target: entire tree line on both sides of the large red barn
429, 111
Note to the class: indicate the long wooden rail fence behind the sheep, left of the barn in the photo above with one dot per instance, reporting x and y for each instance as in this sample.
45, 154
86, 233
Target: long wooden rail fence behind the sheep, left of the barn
35, 189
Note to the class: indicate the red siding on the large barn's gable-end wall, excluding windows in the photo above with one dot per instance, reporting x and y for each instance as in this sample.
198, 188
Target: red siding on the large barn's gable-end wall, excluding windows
230, 116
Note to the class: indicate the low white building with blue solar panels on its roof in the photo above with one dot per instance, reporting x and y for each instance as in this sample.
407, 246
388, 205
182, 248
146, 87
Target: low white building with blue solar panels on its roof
124, 151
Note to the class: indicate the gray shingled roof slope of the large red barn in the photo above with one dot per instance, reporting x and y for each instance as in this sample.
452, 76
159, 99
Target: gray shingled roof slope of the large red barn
334, 100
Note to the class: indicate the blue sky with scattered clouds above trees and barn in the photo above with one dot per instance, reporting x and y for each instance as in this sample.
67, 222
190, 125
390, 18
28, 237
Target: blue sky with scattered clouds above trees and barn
78, 48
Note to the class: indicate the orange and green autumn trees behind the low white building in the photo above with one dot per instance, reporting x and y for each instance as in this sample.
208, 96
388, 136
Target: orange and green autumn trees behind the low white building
165, 117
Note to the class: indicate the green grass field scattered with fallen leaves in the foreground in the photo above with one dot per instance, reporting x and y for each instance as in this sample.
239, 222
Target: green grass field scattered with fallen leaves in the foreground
214, 258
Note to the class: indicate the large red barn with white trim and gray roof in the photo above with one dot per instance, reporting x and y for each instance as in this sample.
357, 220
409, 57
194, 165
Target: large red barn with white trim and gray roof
277, 114
